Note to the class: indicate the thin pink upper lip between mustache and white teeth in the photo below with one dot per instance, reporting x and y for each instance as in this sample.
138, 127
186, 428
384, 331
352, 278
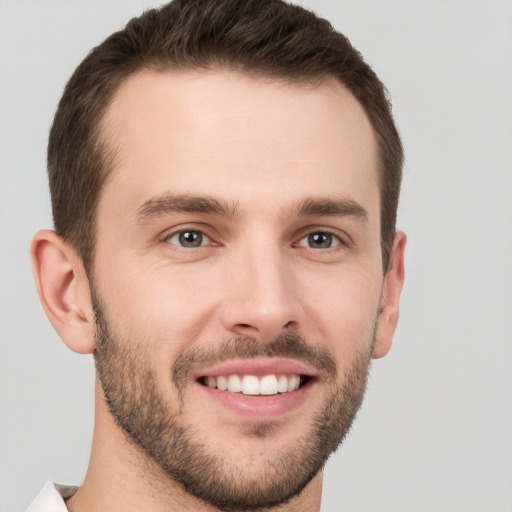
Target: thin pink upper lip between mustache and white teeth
258, 367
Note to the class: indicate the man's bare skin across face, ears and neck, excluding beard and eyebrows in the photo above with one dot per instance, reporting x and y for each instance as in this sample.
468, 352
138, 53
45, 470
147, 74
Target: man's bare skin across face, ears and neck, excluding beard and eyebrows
262, 148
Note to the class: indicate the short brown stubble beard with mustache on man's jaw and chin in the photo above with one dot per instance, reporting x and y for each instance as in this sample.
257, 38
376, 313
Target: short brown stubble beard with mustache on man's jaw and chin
157, 427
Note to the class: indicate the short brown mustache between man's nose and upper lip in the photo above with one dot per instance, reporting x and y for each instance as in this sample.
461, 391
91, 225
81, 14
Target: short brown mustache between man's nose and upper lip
290, 345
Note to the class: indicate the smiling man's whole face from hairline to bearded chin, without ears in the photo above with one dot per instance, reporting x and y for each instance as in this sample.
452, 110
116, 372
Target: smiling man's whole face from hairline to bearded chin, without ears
238, 247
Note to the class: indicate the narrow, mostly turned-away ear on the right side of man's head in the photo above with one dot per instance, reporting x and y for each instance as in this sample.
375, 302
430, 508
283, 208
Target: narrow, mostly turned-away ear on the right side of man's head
389, 306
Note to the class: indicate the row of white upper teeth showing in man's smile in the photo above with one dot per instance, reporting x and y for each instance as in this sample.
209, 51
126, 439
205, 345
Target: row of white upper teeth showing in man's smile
252, 385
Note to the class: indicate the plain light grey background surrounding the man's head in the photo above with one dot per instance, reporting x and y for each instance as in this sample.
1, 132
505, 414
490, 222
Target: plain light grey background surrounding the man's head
435, 432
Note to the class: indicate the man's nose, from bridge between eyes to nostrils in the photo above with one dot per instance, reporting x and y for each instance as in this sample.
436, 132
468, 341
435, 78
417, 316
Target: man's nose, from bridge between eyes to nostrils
260, 299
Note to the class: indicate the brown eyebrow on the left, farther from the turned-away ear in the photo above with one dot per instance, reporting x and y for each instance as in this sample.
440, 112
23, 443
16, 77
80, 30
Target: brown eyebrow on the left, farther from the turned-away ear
172, 203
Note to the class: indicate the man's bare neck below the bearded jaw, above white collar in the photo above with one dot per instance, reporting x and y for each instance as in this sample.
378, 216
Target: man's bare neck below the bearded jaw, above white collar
121, 478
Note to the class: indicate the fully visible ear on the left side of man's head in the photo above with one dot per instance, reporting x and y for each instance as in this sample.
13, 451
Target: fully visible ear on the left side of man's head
63, 289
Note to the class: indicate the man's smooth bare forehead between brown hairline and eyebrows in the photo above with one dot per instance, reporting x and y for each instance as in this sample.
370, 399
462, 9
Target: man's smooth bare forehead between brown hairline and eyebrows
239, 138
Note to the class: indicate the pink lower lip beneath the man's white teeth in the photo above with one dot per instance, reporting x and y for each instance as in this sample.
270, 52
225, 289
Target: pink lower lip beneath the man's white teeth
259, 406
